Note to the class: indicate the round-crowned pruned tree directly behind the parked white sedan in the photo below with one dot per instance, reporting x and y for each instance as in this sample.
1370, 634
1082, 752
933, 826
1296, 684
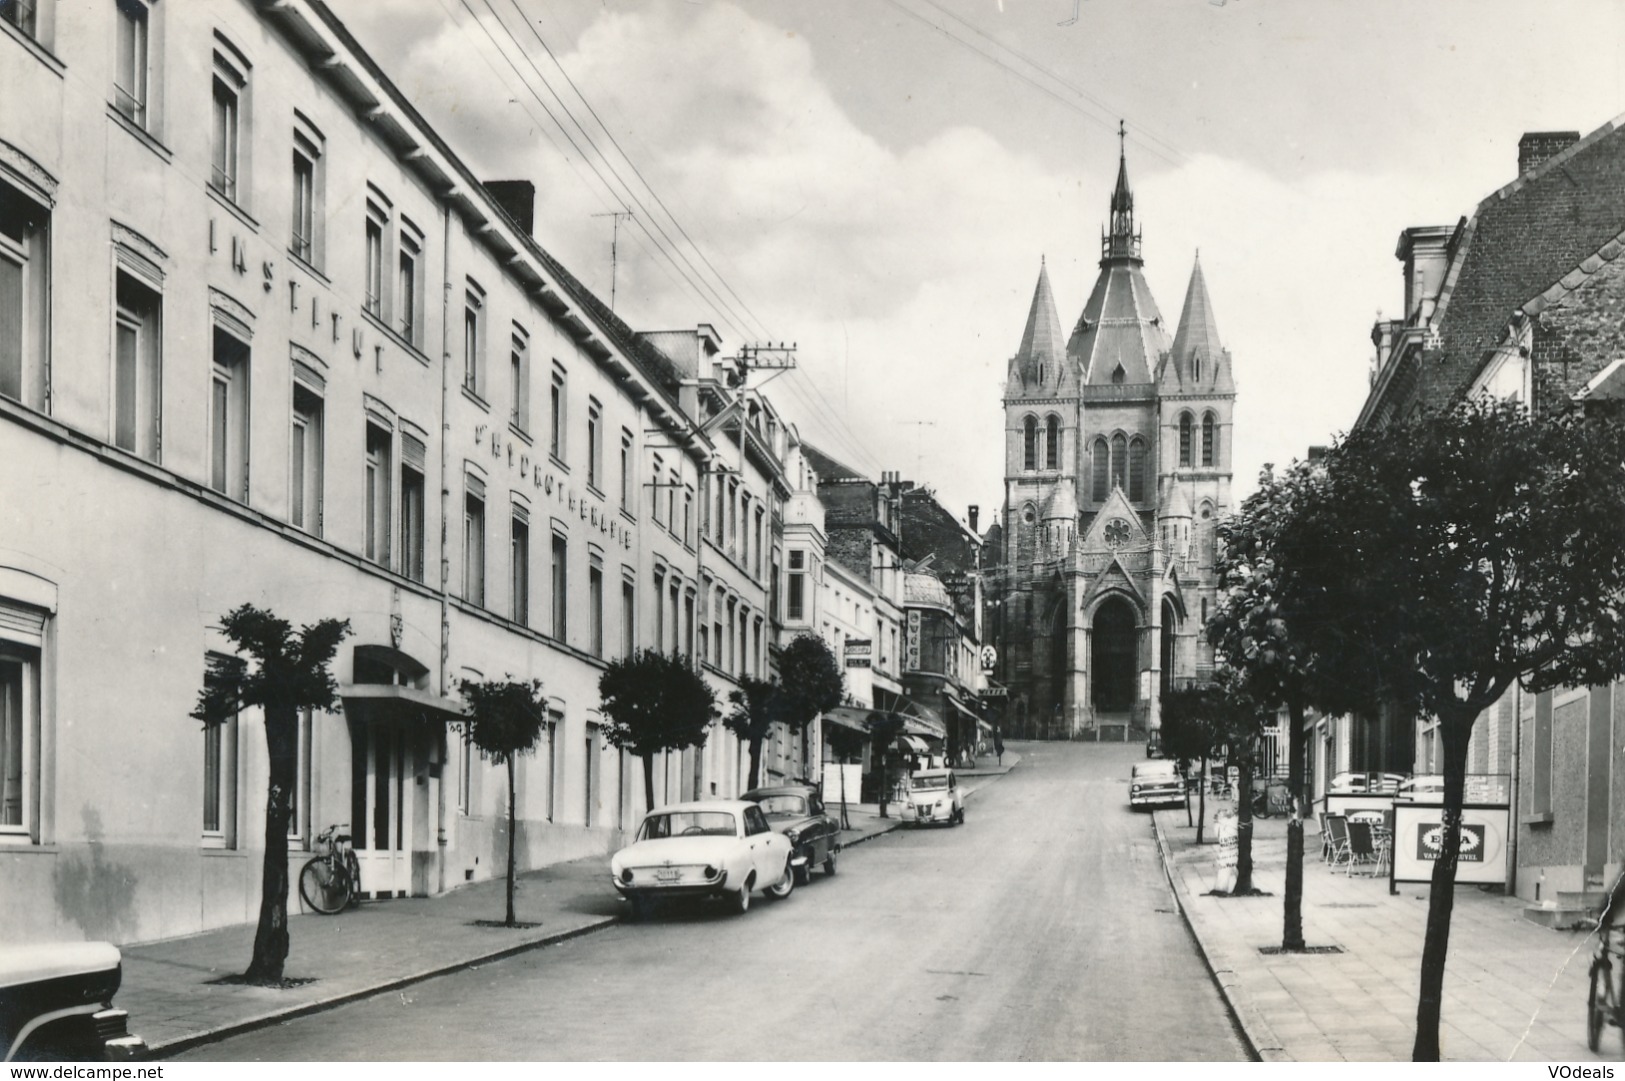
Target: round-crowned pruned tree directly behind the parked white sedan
656, 703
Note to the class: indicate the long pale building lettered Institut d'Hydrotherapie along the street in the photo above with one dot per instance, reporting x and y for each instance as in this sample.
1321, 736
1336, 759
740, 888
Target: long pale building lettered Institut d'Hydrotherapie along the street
266, 339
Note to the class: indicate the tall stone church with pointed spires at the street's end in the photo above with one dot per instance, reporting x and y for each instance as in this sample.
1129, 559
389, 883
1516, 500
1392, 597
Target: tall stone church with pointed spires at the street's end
1117, 467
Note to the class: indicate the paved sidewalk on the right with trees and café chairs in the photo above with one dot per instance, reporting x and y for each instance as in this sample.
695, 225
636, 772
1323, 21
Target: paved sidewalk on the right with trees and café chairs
1512, 991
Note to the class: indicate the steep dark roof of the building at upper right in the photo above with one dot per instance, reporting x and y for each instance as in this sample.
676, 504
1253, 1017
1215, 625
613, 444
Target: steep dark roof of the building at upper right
1520, 241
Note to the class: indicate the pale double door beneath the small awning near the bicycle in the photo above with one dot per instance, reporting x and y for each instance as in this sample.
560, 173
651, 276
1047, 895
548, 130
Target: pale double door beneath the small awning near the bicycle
379, 817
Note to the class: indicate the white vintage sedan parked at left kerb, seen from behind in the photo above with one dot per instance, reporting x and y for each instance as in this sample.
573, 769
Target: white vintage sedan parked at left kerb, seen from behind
708, 849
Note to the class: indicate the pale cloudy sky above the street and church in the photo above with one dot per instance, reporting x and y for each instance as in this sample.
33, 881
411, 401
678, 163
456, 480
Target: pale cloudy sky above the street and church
878, 181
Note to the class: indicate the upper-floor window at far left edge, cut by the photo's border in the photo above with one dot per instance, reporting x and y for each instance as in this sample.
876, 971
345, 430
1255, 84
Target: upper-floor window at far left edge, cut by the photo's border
25, 267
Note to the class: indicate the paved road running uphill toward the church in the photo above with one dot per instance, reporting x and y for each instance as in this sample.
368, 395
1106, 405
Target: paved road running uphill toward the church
1039, 931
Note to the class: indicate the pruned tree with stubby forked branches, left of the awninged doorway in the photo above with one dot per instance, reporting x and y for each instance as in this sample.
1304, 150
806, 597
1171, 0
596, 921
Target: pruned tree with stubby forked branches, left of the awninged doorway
292, 672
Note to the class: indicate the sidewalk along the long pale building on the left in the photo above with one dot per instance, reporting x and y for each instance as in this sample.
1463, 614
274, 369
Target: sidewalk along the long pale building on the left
173, 1004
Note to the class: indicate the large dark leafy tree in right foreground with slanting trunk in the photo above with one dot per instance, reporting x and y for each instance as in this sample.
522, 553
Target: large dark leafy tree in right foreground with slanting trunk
1463, 552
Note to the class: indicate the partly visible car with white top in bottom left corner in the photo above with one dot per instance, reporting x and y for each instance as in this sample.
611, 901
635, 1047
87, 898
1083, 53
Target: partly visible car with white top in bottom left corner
56, 1004
